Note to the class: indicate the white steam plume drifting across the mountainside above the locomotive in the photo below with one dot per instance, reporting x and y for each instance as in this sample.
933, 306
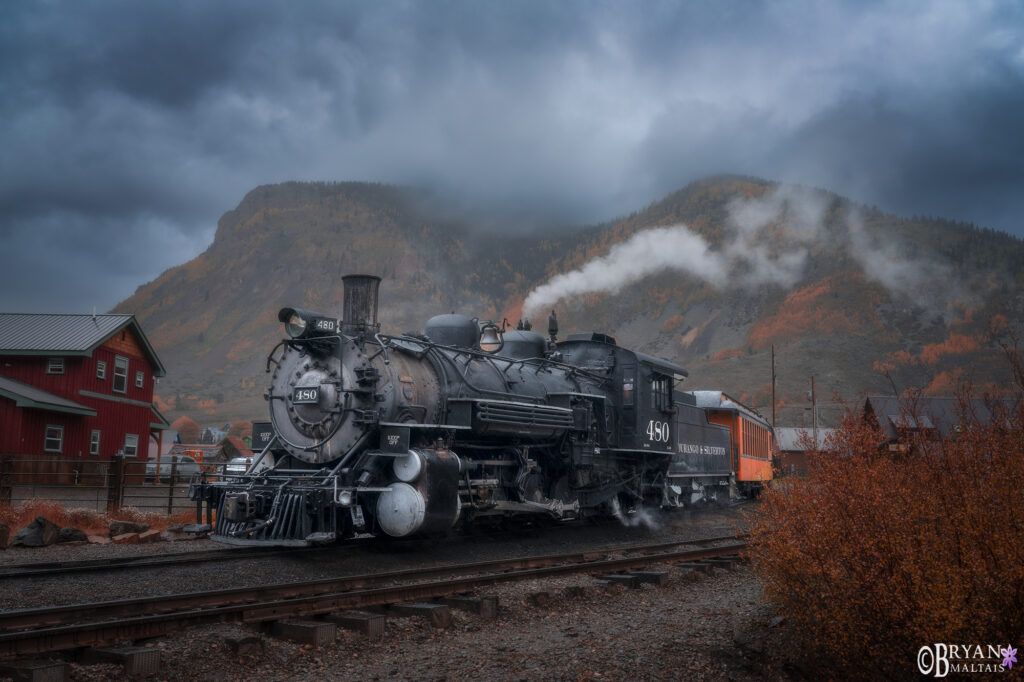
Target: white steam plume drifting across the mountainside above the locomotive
769, 242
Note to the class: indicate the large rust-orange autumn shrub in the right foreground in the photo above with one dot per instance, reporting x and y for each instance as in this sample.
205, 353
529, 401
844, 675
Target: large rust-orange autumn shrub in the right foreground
889, 547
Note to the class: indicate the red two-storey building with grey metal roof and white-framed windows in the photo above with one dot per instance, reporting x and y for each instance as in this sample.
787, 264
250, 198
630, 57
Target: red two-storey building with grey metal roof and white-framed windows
77, 387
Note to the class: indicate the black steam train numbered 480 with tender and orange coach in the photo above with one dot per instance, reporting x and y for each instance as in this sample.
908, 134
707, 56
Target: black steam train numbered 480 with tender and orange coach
410, 435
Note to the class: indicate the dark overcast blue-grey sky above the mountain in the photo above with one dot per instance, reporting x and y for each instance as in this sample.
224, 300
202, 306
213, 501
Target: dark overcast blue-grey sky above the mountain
129, 129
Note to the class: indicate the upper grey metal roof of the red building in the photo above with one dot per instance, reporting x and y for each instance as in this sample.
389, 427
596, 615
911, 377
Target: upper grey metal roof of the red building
44, 334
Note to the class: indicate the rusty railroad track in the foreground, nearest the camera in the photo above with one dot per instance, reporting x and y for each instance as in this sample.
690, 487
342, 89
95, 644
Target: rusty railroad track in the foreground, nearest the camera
26, 632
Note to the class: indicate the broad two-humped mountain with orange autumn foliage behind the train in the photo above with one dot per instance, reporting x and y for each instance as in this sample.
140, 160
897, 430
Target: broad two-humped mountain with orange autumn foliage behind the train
860, 300
